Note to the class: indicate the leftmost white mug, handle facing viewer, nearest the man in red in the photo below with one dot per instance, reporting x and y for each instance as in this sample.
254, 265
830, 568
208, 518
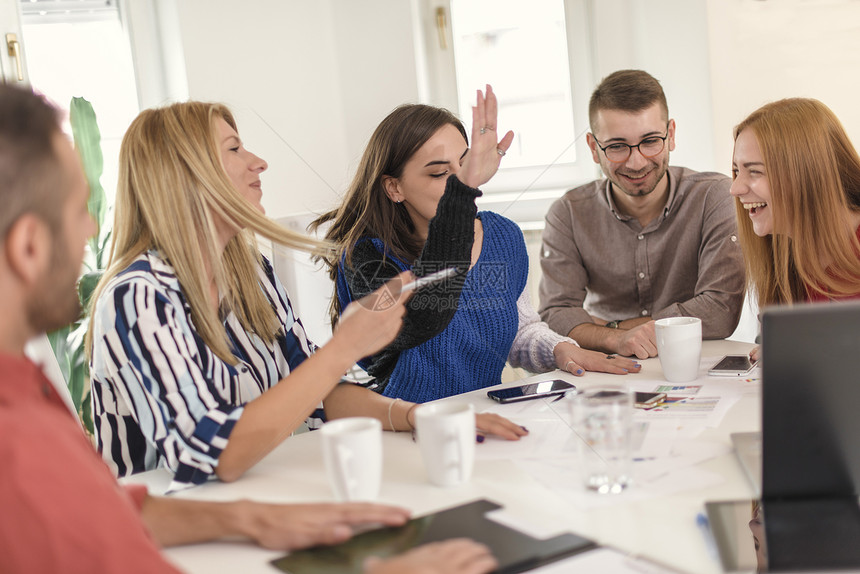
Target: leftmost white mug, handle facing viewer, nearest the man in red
352, 453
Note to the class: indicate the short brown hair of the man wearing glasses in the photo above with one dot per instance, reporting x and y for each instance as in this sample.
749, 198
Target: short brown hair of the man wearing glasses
626, 90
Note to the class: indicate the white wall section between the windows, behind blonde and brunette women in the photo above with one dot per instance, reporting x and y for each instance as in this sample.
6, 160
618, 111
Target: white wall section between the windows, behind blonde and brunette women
308, 82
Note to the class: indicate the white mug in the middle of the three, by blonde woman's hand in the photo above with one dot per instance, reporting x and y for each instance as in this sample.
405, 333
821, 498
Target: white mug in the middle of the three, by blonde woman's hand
446, 436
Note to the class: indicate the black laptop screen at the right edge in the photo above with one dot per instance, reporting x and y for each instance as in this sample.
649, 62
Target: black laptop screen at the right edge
811, 401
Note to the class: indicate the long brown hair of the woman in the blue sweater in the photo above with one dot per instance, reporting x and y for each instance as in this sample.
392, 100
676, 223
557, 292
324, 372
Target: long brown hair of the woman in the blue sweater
366, 210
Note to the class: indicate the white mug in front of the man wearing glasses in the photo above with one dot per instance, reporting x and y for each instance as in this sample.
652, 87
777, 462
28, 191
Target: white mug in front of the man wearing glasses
679, 346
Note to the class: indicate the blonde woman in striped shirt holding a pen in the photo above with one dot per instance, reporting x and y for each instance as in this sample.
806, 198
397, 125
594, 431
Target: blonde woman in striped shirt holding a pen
198, 361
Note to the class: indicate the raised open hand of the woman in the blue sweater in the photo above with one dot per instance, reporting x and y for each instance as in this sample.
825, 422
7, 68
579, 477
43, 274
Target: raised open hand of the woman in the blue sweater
486, 151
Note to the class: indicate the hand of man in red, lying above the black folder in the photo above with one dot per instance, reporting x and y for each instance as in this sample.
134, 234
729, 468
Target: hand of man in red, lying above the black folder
294, 526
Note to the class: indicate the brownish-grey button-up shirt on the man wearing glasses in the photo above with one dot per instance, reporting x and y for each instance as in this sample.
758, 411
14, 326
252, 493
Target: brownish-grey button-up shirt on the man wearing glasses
686, 262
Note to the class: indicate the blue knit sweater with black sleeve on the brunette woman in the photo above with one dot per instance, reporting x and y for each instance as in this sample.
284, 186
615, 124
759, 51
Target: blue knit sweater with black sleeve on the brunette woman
457, 336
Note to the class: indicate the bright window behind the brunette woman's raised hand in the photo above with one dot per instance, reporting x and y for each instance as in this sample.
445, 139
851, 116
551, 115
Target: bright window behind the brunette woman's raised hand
527, 51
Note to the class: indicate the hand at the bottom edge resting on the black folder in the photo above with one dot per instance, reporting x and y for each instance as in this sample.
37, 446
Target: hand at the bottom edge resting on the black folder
455, 556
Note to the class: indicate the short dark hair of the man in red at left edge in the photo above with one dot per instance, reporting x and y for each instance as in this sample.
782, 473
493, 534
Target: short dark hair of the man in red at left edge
28, 160
